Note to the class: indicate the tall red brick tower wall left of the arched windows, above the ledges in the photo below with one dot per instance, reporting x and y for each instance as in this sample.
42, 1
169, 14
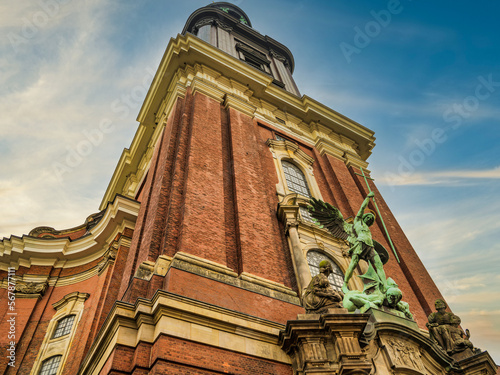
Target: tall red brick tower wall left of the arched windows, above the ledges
210, 192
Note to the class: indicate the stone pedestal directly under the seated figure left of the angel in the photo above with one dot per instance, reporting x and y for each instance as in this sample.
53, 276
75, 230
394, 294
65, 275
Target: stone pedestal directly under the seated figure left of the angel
326, 344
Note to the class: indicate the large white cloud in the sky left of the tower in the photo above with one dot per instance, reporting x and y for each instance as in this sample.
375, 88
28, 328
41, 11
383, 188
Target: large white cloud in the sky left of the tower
65, 94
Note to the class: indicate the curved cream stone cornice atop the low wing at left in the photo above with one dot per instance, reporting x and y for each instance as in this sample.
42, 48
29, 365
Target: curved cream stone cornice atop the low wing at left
62, 252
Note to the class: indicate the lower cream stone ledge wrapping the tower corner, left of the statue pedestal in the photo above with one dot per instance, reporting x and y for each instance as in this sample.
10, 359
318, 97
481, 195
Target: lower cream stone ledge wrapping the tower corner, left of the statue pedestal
176, 316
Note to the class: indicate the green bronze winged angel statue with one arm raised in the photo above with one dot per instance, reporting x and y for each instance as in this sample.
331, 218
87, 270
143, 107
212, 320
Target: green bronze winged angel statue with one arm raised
357, 234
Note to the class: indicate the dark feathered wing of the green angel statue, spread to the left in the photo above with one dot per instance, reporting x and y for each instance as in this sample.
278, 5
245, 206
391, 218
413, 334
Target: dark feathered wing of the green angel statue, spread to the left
330, 217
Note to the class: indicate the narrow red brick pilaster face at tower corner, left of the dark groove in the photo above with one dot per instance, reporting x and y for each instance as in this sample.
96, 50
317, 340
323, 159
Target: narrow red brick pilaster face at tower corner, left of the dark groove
203, 229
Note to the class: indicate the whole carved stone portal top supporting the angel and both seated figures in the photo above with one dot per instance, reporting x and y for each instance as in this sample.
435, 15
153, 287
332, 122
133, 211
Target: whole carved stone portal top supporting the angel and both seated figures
376, 342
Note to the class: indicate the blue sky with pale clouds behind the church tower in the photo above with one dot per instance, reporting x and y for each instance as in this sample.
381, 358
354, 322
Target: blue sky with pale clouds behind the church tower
425, 77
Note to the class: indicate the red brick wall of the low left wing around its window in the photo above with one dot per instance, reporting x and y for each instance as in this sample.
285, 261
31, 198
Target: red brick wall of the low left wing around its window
34, 316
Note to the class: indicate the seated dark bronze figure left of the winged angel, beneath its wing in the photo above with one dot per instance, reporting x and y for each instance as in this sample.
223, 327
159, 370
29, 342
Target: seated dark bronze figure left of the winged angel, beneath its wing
319, 296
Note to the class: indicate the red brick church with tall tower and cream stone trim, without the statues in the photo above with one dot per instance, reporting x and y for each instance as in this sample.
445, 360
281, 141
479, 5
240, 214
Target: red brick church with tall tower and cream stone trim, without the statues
204, 244
